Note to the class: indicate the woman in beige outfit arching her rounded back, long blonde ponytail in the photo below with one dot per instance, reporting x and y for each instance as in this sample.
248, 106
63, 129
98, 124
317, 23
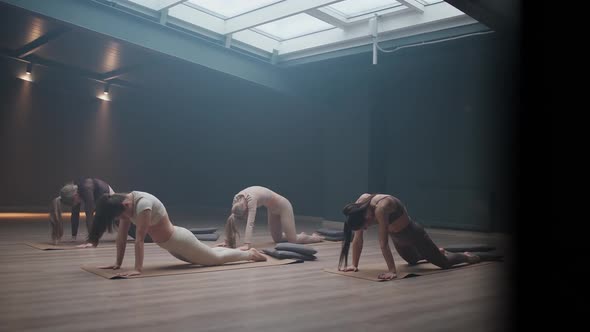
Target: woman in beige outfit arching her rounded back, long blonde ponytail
281, 220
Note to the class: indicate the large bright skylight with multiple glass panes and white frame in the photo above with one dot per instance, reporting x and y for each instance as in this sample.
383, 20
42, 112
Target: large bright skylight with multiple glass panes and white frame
285, 30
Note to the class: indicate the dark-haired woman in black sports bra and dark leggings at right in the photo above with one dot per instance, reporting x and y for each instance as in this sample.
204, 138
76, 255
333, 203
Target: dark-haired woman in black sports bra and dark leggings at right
409, 238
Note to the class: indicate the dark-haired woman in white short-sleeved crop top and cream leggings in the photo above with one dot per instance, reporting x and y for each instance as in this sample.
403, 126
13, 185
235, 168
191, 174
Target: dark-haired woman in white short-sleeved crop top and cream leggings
150, 217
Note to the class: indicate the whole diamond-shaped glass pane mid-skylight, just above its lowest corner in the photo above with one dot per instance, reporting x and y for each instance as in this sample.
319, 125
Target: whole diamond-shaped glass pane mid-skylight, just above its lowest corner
294, 26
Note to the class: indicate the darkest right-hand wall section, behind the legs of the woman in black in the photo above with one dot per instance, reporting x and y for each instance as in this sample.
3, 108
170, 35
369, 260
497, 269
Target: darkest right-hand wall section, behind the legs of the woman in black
449, 112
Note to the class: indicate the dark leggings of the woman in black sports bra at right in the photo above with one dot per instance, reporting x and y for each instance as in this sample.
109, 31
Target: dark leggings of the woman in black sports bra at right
413, 244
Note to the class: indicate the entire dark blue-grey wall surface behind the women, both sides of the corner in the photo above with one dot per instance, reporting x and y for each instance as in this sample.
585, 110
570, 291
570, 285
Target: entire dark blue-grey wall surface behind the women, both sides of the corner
431, 125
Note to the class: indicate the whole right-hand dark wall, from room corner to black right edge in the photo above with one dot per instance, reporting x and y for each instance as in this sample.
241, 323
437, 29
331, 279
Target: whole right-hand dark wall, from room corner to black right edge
439, 124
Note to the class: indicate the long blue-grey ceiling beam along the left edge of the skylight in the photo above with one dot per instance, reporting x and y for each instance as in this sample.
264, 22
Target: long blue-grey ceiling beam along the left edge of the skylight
107, 20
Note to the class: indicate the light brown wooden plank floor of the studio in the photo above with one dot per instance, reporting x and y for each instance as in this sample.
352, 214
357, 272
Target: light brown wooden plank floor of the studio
47, 291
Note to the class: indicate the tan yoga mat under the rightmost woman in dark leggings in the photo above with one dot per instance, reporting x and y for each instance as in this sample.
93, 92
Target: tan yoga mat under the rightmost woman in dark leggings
371, 271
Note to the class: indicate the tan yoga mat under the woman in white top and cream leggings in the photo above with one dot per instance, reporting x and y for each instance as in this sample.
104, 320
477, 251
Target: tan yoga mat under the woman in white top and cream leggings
185, 268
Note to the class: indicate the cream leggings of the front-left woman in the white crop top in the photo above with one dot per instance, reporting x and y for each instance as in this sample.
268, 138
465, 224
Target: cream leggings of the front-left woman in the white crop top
185, 246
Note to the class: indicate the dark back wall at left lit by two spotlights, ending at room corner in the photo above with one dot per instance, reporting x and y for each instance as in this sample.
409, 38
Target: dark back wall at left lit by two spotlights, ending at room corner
193, 148
